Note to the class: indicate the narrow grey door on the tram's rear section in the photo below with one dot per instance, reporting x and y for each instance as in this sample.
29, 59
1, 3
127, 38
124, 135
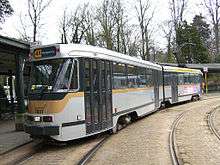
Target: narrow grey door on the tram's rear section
174, 88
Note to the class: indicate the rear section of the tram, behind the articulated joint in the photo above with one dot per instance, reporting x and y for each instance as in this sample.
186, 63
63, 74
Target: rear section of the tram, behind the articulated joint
181, 84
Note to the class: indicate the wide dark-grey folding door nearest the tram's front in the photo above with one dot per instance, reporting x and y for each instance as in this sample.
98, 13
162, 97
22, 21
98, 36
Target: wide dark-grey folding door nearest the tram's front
98, 95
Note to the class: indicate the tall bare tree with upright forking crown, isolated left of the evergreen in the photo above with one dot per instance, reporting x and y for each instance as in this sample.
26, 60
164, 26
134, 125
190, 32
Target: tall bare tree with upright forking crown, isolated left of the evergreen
144, 17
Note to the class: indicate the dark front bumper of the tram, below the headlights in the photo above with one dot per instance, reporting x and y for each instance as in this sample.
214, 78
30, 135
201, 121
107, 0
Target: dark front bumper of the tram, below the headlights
42, 130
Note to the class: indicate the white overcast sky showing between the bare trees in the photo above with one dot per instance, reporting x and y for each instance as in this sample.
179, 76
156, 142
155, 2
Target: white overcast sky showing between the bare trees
50, 19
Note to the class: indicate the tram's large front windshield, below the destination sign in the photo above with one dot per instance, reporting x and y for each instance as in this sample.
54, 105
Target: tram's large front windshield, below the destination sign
56, 75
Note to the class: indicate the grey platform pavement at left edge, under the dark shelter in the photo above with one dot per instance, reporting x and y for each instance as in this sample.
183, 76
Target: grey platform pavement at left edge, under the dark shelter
9, 138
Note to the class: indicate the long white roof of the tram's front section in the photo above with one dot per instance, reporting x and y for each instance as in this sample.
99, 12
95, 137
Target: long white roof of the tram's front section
80, 50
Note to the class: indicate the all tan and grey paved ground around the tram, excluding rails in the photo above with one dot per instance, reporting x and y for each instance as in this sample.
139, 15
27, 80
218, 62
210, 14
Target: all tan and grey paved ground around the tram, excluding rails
143, 142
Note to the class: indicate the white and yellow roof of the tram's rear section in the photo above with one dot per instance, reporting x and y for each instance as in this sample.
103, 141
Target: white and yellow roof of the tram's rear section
181, 70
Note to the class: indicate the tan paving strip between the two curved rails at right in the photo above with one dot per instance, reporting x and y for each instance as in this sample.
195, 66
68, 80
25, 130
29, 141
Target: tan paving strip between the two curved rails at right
196, 143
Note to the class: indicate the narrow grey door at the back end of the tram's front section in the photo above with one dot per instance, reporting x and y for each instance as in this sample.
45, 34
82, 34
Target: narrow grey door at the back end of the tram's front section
156, 87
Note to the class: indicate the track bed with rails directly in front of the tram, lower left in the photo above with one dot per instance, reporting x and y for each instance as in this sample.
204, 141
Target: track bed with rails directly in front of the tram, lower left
78, 151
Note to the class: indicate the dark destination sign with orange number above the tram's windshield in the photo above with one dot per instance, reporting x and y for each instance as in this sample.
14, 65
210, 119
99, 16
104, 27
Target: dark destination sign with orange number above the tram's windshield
44, 52
